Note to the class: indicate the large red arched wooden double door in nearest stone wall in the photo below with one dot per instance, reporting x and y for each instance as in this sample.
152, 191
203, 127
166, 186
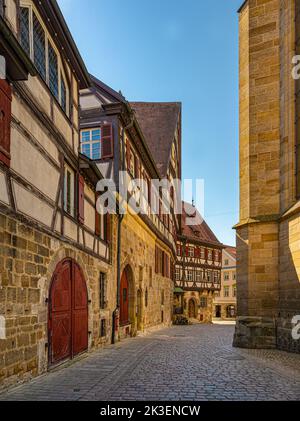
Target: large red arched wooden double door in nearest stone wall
68, 312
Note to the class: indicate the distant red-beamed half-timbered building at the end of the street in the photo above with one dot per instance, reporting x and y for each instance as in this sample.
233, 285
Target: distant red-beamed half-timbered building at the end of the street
198, 268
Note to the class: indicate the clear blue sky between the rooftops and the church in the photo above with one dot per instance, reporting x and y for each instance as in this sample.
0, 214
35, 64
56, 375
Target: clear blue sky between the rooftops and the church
175, 50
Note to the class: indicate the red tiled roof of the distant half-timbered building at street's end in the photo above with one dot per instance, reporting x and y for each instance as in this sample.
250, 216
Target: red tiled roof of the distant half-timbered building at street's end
198, 232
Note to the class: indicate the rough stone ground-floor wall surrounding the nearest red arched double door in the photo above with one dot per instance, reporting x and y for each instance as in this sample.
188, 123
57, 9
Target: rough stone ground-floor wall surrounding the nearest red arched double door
28, 259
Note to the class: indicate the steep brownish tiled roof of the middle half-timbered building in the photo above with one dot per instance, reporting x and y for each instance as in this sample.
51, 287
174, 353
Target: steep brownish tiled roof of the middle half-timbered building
158, 121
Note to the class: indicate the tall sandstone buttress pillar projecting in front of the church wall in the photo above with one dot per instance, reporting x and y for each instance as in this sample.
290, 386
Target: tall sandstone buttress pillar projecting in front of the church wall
258, 228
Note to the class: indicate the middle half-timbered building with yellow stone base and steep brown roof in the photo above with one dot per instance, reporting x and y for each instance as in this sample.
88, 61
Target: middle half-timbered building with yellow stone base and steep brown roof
145, 242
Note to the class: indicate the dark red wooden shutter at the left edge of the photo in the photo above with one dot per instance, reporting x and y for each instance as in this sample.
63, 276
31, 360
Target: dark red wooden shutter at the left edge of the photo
5, 120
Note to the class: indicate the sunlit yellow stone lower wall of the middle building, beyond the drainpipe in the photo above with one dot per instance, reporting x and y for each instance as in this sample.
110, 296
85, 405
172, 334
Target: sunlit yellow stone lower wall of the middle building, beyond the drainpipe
138, 252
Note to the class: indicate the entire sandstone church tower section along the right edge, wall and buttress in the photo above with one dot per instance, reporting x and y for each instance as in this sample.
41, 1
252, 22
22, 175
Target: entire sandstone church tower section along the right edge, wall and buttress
268, 233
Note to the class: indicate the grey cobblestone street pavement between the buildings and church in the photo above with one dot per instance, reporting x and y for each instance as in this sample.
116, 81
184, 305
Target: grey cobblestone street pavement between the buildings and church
180, 363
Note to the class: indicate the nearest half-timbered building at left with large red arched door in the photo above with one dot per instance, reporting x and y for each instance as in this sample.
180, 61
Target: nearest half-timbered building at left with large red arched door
55, 255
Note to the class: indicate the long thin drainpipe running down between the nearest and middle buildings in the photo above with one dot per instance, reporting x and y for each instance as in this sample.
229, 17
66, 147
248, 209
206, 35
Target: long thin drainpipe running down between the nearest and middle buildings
115, 324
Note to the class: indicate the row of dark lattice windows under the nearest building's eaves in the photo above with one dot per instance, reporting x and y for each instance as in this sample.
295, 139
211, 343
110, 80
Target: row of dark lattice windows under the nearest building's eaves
37, 43
